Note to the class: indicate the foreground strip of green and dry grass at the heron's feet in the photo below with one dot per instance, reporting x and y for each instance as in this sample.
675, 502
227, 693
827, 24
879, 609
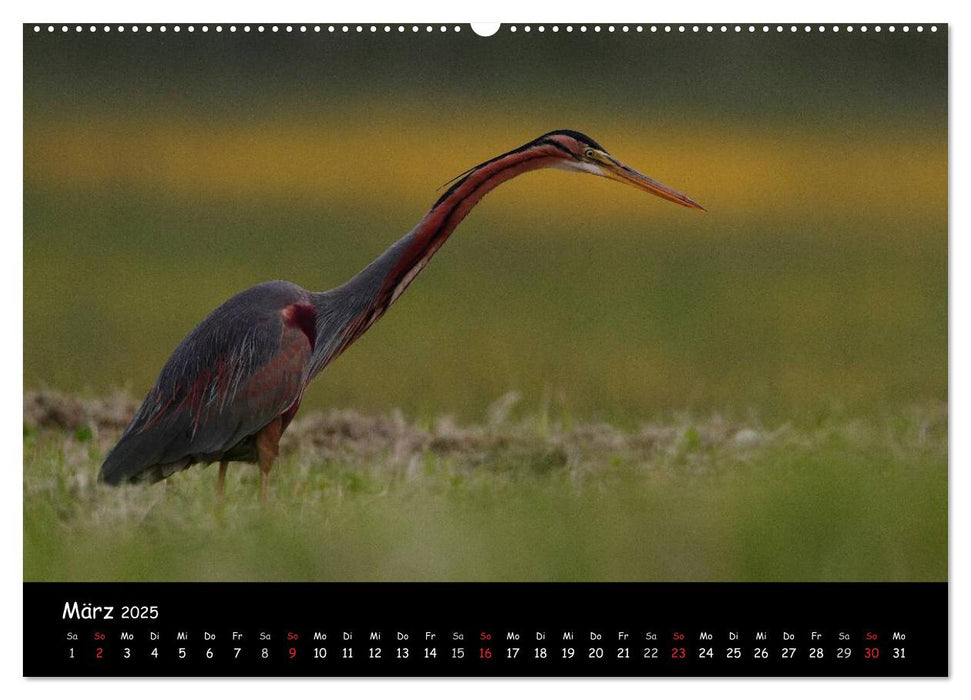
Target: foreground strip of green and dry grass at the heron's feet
531, 497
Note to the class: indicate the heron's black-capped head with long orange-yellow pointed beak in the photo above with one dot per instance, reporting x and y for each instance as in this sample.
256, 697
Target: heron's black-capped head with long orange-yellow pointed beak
581, 153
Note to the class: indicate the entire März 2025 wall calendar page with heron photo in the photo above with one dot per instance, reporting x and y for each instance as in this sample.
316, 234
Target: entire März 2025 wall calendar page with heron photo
553, 350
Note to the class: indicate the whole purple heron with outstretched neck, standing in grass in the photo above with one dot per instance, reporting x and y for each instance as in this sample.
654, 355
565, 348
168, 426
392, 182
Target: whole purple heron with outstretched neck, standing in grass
233, 385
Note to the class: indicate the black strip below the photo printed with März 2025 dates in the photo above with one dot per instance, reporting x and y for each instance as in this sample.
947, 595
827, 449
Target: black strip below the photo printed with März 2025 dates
919, 611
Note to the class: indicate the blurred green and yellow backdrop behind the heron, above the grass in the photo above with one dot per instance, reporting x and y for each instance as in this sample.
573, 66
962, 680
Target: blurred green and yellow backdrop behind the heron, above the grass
163, 176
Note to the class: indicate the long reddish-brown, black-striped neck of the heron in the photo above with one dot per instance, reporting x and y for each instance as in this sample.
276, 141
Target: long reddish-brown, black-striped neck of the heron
367, 295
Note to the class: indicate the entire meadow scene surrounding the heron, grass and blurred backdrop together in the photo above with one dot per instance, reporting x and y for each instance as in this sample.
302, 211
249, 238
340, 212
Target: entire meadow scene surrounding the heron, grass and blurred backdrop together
164, 174
